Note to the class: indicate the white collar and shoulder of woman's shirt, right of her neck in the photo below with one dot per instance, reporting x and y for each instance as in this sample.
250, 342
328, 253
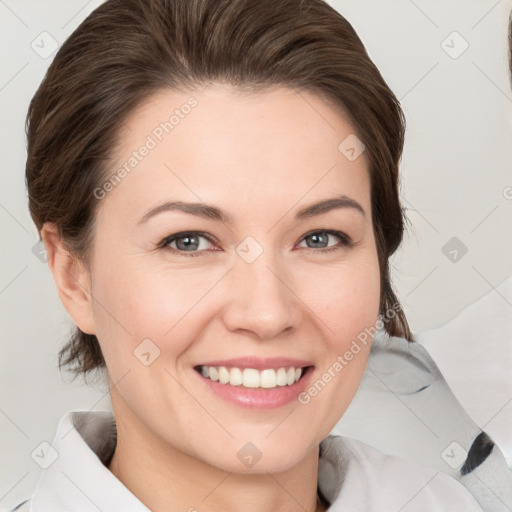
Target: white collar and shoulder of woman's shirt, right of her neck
355, 475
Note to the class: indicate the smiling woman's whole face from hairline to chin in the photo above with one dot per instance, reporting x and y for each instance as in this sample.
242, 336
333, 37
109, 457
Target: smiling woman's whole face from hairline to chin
242, 280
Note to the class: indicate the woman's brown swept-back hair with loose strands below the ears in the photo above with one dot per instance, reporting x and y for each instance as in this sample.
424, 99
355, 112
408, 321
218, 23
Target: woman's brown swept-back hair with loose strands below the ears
126, 50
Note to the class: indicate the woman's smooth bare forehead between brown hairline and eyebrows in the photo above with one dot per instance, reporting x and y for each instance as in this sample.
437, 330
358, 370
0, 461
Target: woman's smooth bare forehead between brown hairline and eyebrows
225, 146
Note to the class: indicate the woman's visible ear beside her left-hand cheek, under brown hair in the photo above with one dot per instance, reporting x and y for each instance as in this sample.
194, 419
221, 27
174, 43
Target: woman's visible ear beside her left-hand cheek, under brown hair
71, 277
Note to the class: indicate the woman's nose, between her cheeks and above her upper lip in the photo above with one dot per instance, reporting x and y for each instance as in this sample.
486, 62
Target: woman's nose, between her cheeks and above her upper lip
260, 299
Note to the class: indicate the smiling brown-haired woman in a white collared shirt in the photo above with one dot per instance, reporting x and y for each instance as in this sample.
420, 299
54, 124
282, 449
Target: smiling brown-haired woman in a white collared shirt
216, 186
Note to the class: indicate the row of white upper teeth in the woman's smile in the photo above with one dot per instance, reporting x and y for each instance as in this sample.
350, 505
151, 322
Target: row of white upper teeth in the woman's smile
252, 378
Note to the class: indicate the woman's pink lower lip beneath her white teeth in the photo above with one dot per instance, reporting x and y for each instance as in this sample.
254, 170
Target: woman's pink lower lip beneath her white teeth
258, 398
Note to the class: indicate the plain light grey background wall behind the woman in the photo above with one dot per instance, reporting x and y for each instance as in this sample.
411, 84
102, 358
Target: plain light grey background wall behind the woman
447, 62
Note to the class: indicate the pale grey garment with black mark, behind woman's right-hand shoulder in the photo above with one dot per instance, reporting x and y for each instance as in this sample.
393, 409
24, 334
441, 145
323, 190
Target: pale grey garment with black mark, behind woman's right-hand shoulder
405, 407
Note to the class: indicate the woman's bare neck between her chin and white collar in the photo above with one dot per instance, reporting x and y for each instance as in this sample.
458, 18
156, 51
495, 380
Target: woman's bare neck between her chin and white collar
163, 477
